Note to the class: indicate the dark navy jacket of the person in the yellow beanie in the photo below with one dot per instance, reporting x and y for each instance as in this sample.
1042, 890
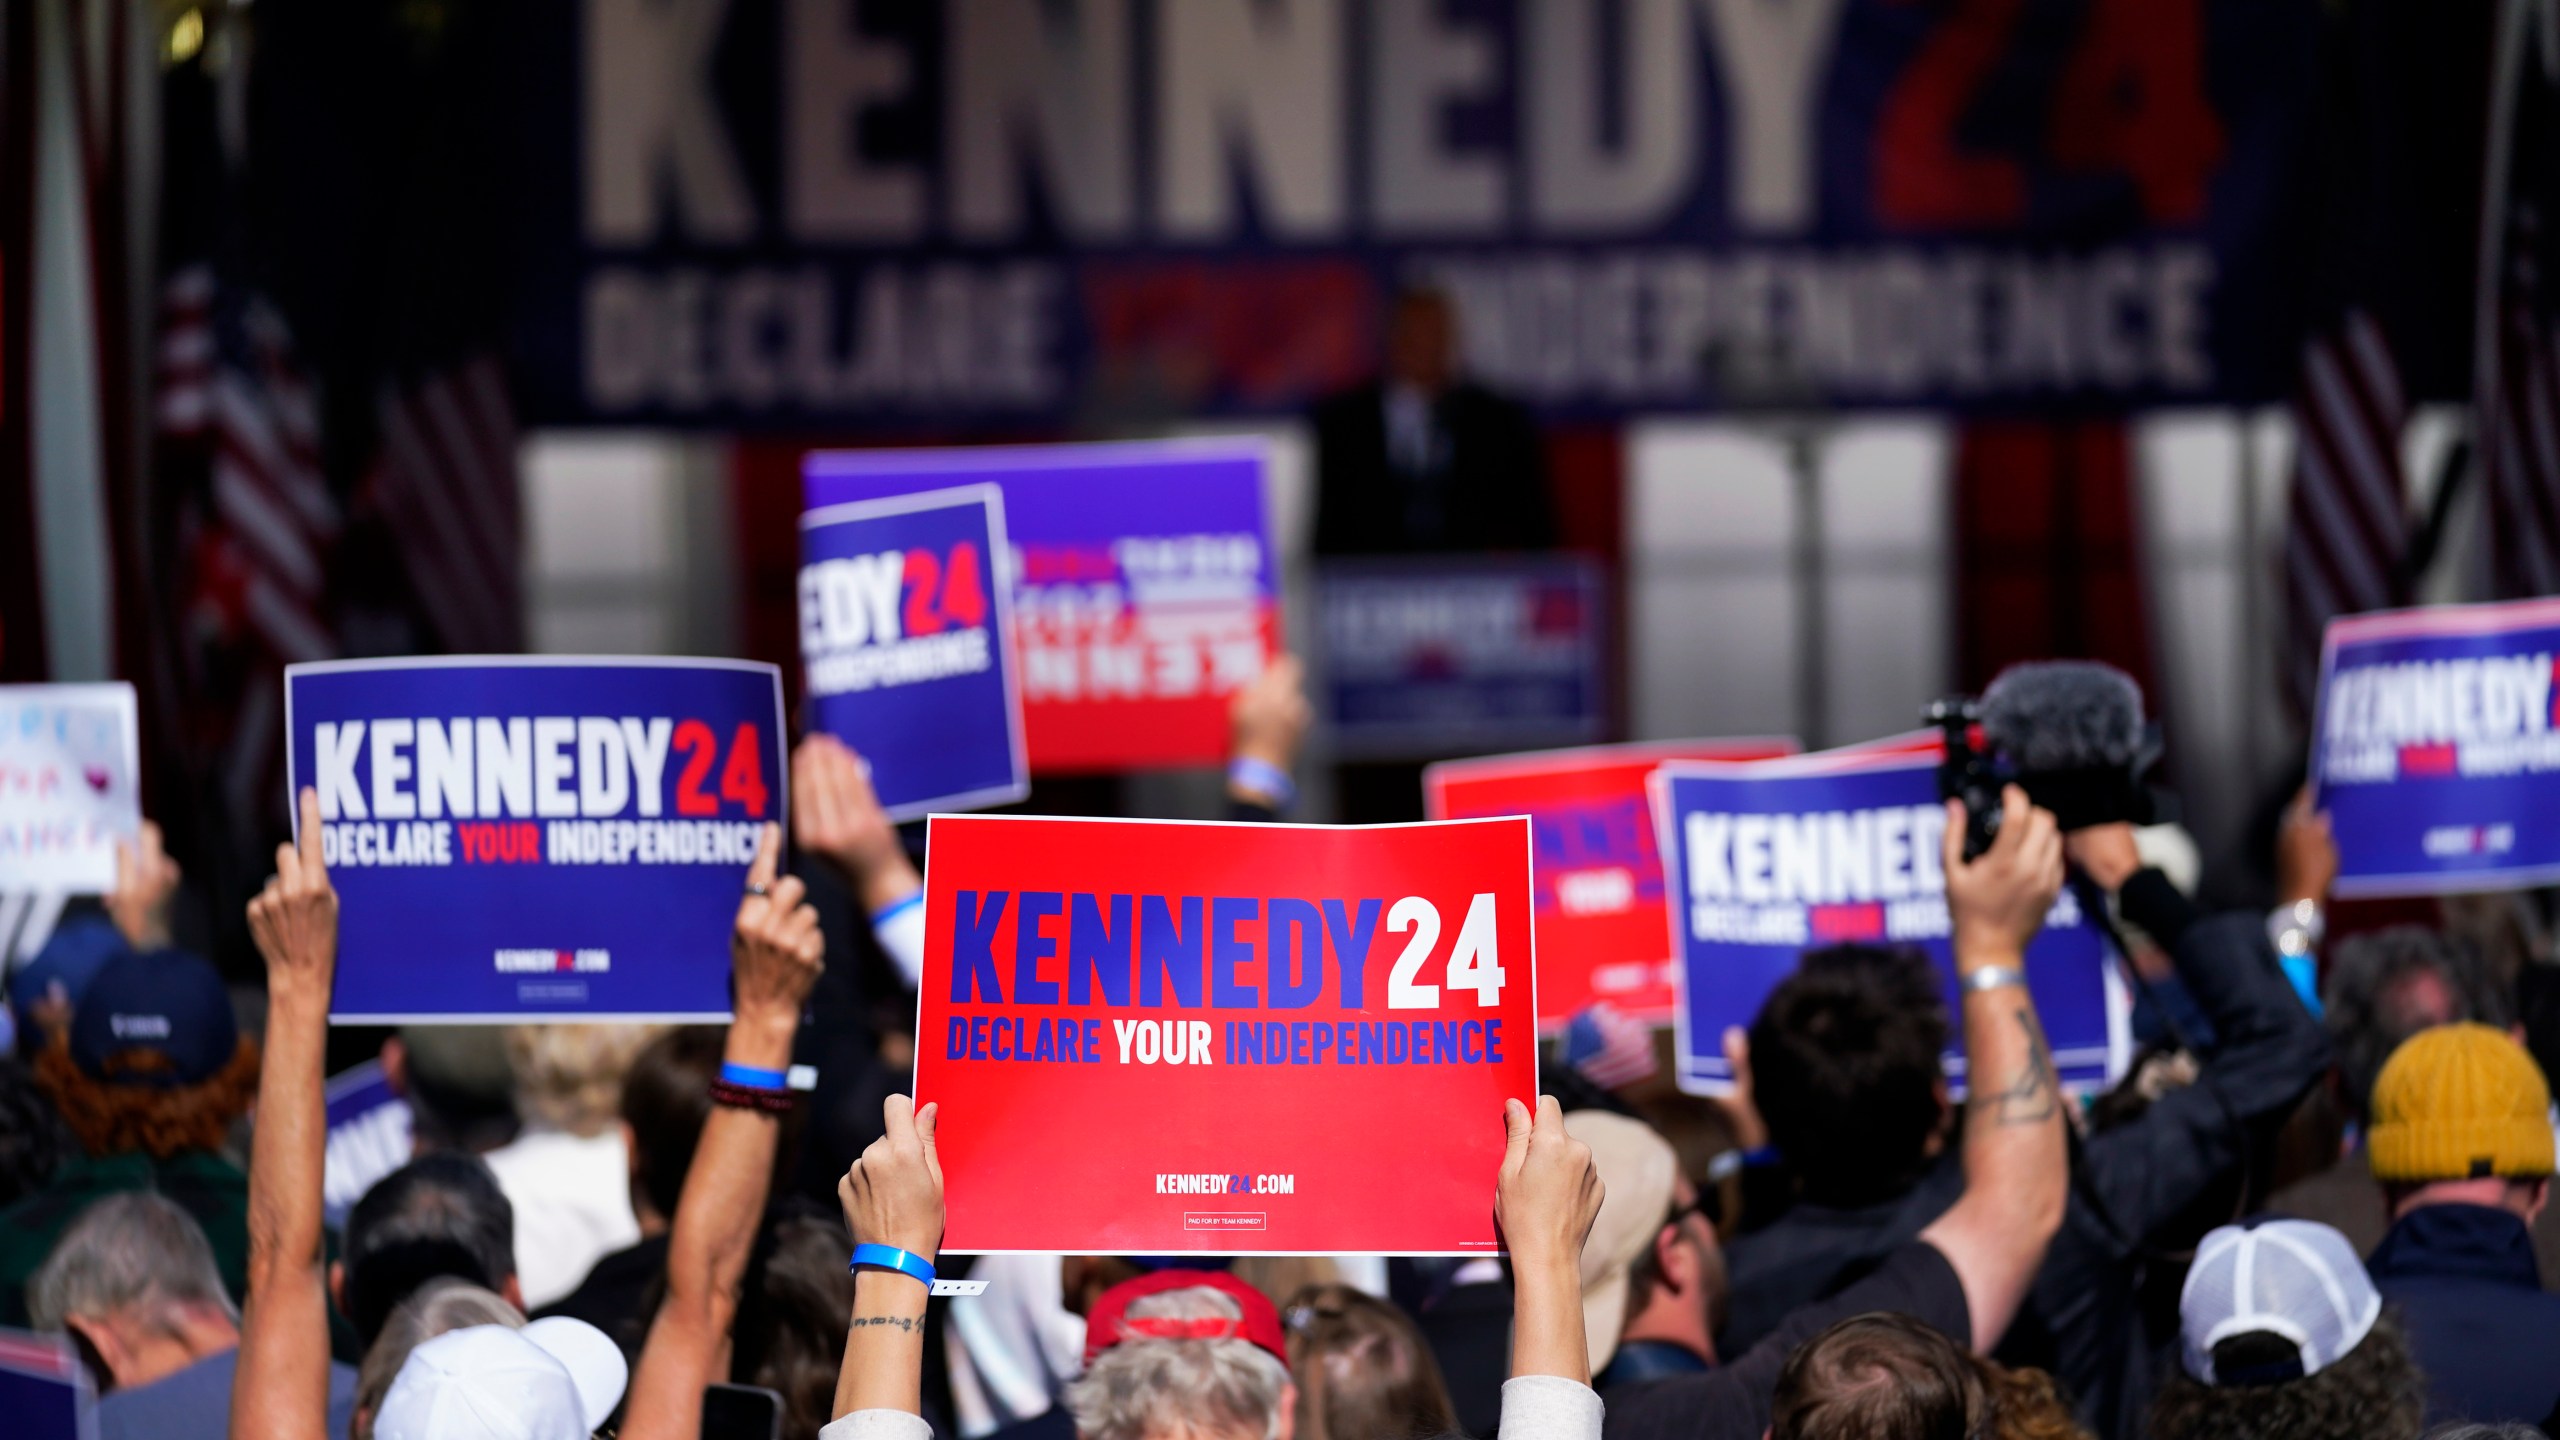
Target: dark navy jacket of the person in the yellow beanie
2472, 1300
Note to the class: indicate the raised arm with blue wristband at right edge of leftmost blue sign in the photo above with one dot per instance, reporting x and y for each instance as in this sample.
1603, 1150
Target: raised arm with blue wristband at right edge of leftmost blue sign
774, 954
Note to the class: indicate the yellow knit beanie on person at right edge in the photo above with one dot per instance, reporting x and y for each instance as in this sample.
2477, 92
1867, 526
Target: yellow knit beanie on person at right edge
2461, 1103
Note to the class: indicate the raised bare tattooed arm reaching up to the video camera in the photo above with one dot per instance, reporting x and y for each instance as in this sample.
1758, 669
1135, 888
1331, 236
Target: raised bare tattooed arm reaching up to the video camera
2016, 1170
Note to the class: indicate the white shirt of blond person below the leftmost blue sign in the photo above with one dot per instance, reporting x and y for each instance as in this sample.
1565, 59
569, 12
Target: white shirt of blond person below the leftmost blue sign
572, 1208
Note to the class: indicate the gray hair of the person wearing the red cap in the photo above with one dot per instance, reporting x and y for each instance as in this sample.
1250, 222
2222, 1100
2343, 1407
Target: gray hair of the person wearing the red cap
1143, 1390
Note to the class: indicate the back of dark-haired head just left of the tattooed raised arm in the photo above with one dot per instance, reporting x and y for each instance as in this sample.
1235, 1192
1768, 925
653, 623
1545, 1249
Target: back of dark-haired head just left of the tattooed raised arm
1847, 1072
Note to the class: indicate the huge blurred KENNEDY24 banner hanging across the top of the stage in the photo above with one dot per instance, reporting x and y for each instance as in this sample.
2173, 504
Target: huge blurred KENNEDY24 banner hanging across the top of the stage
823, 214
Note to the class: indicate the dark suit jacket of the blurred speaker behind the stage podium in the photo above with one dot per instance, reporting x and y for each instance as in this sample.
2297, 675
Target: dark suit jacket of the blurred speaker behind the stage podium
1491, 493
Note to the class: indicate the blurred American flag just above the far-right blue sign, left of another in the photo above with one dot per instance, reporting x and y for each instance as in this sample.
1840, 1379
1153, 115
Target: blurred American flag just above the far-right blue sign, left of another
2349, 527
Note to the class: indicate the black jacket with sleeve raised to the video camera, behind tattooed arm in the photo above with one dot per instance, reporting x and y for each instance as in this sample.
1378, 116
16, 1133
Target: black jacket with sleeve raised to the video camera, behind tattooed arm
2139, 1193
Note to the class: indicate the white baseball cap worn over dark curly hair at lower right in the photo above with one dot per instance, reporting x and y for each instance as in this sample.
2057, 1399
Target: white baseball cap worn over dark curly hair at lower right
2277, 1277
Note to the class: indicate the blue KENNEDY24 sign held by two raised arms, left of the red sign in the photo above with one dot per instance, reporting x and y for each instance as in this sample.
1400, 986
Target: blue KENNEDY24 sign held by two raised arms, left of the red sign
536, 839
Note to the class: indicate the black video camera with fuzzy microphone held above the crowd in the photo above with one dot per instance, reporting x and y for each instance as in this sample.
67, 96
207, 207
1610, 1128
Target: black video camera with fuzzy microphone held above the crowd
2070, 734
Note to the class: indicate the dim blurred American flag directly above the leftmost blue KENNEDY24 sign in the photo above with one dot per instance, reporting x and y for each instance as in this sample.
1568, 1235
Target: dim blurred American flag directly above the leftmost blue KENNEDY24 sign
447, 483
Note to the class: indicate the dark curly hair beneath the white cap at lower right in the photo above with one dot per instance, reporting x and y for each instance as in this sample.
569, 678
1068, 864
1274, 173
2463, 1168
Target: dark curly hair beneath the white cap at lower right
2372, 1393
